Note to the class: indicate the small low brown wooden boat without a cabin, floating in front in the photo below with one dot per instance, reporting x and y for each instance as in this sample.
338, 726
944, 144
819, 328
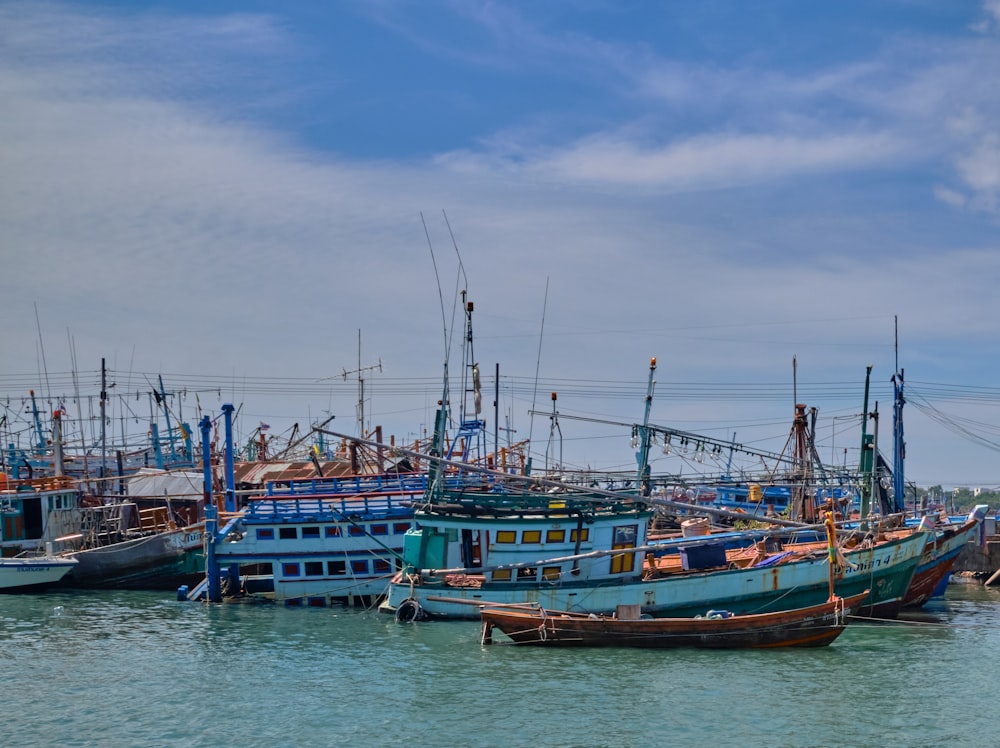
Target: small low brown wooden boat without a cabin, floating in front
814, 626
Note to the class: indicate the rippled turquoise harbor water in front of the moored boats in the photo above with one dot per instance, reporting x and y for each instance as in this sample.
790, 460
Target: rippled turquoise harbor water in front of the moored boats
141, 669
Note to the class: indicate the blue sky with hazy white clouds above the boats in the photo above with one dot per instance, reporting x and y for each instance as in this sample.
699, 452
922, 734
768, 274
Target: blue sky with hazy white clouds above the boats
279, 205
